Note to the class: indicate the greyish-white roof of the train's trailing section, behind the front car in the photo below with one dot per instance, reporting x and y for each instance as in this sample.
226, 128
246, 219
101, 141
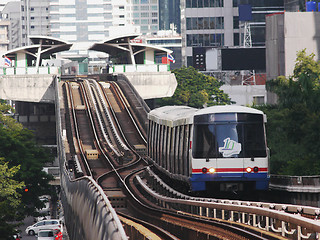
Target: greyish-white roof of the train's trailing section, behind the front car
172, 115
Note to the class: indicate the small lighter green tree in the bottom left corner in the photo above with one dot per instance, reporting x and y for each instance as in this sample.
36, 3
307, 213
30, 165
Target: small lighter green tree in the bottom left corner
10, 199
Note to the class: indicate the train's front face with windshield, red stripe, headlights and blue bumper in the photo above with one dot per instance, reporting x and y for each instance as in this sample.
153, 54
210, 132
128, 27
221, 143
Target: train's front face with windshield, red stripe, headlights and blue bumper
229, 151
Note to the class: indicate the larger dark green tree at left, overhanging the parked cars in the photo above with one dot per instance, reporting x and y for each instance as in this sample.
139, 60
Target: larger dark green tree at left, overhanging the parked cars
18, 148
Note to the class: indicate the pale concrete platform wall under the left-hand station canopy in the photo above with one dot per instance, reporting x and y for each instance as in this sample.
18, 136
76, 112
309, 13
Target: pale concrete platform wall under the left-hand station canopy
28, 88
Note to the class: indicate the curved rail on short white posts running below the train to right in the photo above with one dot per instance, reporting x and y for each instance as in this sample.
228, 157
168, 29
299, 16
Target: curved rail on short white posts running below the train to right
284, 219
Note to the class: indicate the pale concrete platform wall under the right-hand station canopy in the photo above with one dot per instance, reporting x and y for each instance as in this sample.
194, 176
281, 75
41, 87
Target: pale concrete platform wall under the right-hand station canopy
153, 85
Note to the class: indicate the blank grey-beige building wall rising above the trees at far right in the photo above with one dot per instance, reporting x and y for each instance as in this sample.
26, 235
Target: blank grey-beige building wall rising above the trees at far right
286, 34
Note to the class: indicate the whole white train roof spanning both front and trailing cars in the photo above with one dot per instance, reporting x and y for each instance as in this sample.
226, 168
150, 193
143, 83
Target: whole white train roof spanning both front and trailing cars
179, 115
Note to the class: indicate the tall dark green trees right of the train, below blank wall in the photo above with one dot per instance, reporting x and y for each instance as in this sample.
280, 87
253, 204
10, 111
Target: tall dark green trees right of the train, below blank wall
294, 123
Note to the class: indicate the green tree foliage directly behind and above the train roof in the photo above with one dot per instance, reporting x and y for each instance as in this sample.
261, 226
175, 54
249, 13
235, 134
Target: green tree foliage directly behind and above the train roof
196, 90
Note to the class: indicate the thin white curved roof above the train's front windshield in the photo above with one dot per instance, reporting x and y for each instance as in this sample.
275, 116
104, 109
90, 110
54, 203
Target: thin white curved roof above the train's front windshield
227, 109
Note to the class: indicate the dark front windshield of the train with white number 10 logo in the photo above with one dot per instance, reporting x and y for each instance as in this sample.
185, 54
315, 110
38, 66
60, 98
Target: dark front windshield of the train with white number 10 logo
241, 137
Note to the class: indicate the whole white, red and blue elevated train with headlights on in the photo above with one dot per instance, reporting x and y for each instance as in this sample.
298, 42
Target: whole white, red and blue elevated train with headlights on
219, 148
